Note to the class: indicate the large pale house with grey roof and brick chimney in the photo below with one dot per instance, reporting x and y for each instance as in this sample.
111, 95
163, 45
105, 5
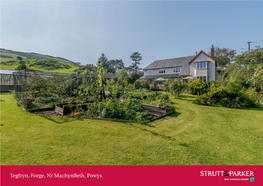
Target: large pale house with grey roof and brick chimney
200, 66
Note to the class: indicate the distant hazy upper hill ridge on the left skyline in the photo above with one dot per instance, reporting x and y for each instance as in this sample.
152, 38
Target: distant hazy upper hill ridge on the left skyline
7, 55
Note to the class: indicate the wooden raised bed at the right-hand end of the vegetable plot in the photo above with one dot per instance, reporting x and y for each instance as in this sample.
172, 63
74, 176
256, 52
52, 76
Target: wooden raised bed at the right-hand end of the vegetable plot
159, 111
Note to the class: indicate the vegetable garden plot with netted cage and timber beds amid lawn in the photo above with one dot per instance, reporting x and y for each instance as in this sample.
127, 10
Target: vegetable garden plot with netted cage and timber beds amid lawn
84, 96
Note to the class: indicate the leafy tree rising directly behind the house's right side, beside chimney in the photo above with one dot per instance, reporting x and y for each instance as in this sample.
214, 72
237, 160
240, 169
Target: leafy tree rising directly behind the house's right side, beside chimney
223, 56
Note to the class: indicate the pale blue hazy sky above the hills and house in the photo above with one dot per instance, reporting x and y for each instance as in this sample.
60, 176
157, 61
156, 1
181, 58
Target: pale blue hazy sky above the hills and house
81, 31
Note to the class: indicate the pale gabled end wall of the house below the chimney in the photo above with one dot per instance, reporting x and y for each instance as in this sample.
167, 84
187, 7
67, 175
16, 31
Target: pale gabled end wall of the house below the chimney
210, 71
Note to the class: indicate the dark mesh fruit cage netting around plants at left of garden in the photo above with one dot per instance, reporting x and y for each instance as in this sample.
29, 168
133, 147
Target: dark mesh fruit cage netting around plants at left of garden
36, 89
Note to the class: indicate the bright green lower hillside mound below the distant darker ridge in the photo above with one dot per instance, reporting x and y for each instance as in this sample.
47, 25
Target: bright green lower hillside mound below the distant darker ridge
40, 64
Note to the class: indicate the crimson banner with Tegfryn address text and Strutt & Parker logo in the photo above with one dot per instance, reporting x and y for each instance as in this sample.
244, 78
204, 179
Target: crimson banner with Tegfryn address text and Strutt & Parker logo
131, 175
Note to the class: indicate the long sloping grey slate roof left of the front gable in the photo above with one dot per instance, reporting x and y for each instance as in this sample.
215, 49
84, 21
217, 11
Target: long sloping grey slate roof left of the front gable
181, 61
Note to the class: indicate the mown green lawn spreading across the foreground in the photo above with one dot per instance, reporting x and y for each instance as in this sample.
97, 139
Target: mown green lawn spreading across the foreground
194, 135
